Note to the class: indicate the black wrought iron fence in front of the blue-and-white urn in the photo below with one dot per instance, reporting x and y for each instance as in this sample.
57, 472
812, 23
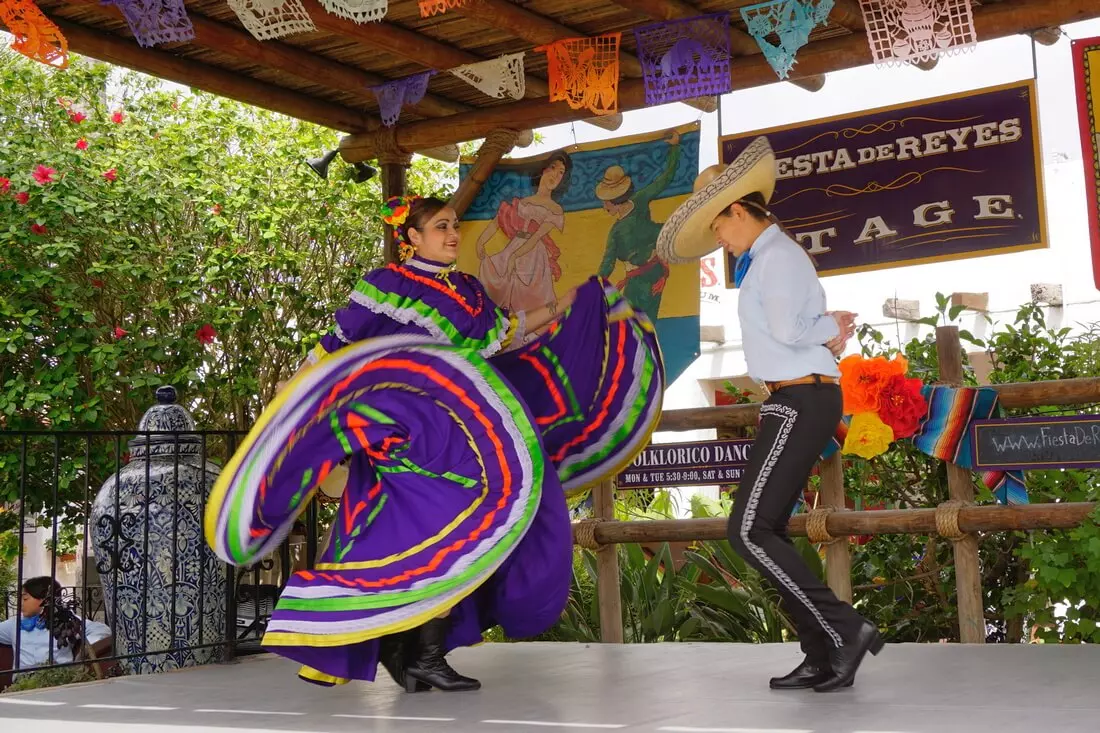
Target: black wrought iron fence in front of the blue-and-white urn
119, 527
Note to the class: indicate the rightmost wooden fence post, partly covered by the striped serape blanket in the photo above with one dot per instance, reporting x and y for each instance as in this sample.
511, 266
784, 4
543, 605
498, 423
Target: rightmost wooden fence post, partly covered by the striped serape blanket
961, 488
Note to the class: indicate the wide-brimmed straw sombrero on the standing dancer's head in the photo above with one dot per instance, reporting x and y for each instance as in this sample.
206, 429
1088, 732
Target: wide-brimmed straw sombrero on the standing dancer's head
687, 235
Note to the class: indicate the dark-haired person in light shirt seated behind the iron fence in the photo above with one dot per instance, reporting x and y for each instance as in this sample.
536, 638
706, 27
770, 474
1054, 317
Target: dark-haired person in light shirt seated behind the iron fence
47, 619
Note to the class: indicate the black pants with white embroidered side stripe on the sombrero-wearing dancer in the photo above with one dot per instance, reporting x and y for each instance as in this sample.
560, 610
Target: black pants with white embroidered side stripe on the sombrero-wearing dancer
796, 425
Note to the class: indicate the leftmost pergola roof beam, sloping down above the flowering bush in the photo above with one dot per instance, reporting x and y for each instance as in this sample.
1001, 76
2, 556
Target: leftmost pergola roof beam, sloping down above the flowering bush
119, 51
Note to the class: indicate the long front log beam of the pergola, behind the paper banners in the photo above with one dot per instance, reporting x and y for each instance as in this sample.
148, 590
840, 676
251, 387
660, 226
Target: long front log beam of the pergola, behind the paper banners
820, 58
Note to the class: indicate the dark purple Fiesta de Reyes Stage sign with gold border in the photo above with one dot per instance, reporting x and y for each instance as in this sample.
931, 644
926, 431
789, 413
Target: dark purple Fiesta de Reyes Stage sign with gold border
945, 179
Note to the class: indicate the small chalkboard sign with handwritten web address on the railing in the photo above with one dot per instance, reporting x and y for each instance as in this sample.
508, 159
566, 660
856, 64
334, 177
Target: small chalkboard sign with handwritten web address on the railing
1038, 443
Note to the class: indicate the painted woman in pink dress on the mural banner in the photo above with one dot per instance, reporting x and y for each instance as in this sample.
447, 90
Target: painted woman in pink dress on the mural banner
522, 276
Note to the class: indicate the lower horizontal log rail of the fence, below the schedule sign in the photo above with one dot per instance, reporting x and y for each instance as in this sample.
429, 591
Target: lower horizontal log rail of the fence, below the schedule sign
840, 524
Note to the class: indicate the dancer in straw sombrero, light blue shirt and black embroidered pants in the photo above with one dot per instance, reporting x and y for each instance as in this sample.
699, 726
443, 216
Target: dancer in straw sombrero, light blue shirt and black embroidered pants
791, 344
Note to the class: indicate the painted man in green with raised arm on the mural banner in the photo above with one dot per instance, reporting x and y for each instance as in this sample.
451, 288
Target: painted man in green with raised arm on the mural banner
633, 238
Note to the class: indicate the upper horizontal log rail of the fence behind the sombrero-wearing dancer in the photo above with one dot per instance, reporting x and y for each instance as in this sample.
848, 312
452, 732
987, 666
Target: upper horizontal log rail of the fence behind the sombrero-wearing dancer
1019, 395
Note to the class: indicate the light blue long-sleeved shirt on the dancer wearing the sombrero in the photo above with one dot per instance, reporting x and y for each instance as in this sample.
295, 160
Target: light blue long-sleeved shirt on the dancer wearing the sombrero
782, 309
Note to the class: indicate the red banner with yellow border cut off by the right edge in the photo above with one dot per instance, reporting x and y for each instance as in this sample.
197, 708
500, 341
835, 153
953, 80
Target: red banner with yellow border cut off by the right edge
1087, 79
